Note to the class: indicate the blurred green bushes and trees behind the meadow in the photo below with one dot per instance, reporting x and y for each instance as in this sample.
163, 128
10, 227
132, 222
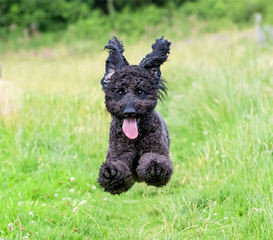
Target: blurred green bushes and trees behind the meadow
42, 22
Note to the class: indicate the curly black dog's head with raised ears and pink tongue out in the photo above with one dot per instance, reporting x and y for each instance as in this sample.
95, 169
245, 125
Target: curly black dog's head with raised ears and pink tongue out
132, 91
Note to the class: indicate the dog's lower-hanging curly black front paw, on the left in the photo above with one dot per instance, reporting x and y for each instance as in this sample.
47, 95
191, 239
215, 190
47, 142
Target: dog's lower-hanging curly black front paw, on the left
115, 177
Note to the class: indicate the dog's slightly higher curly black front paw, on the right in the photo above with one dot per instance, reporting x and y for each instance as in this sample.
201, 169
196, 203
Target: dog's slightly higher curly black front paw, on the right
154, 169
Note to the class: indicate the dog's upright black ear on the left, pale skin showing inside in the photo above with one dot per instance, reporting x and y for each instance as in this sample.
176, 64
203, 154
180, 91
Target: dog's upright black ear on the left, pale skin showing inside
115, 60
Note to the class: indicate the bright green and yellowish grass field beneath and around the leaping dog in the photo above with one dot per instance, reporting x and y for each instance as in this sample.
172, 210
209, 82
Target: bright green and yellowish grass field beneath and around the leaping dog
219, 111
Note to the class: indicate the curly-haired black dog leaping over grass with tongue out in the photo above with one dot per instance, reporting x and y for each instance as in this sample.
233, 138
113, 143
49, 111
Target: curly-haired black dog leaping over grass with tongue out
139, 140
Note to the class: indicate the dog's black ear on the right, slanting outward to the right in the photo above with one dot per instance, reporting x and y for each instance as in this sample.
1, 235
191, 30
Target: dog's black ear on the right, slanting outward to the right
153, 60
